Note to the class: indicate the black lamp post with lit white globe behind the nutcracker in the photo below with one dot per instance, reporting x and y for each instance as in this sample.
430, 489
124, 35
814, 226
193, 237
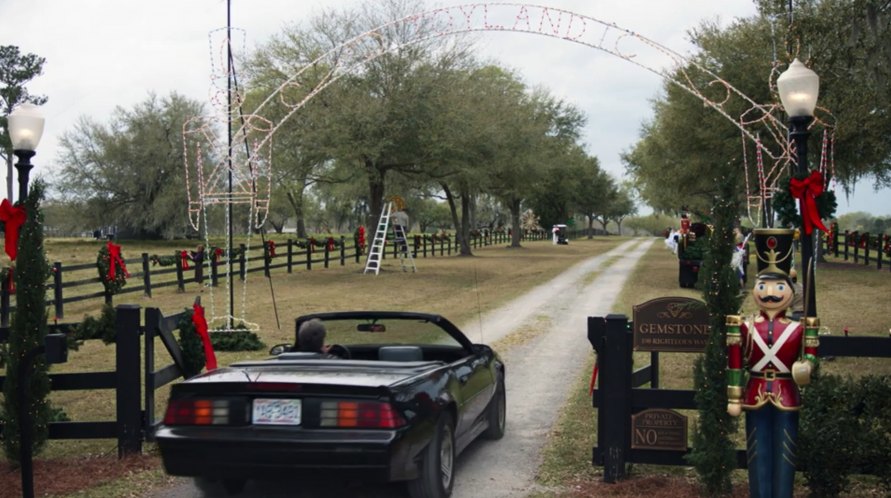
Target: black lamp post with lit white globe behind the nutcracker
799, 88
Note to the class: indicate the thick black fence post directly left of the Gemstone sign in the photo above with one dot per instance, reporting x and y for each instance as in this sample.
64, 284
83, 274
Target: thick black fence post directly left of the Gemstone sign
611, 339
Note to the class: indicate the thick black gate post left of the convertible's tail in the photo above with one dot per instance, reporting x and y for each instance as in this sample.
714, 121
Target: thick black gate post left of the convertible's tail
129, 413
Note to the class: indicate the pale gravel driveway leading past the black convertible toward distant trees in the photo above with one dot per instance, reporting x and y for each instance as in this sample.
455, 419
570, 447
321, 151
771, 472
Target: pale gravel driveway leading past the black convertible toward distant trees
506, 468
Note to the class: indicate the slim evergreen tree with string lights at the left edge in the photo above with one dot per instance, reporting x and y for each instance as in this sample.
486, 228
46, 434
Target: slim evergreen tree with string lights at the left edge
27, 331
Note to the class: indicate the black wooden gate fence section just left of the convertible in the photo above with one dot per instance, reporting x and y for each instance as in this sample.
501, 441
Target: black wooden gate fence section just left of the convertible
134, 391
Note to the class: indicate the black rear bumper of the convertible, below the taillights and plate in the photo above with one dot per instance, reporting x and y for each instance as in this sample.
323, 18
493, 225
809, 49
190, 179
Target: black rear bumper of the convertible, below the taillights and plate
226, 452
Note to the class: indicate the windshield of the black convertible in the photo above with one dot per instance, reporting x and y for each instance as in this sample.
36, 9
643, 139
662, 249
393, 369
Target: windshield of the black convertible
390, 331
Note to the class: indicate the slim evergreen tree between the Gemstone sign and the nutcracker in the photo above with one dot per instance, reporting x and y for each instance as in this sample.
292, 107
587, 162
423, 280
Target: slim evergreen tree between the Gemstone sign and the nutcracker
713, 454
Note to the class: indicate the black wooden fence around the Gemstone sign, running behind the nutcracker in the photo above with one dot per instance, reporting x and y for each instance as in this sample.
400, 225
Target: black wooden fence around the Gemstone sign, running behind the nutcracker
620, 394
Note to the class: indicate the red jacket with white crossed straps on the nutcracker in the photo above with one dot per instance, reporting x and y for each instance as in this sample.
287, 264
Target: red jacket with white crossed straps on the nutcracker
766, 350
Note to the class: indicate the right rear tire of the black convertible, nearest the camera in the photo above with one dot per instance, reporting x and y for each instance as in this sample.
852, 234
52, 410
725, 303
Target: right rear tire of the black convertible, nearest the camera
436, 470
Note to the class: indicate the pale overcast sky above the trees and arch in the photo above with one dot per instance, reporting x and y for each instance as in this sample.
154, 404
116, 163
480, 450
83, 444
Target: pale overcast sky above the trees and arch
106, 53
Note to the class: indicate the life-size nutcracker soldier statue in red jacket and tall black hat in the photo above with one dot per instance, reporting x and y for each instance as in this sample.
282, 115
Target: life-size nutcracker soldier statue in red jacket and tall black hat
768, 358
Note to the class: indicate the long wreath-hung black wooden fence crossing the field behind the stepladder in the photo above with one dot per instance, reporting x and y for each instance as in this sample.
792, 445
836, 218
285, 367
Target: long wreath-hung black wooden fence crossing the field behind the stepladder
70, 284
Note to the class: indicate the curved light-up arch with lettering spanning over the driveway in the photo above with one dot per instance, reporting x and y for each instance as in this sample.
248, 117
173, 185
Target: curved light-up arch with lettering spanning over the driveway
628, 45
